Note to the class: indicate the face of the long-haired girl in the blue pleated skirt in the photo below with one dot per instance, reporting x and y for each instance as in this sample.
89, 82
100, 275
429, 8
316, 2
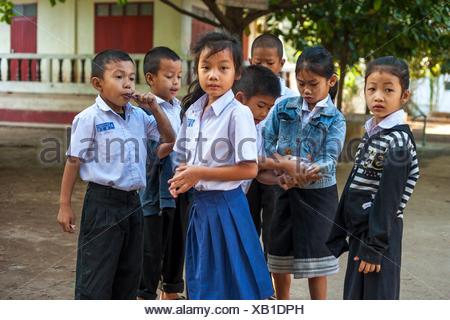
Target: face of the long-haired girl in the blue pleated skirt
216, 73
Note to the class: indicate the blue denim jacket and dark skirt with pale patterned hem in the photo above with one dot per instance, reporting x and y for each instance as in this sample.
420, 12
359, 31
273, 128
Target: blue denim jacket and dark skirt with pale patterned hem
303, 216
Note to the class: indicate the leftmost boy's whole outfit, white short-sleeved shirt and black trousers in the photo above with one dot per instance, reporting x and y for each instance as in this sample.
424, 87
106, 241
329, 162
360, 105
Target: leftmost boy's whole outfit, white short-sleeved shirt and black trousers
112, 150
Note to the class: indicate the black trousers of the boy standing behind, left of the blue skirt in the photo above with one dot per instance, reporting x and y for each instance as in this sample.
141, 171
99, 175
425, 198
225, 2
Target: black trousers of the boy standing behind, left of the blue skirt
164, 248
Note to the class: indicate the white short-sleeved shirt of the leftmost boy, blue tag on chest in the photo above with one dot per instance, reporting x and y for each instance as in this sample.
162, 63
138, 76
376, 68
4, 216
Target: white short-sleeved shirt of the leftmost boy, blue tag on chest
118, 145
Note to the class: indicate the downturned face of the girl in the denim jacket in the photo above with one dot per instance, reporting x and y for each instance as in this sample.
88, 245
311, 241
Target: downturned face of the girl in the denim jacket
313, 87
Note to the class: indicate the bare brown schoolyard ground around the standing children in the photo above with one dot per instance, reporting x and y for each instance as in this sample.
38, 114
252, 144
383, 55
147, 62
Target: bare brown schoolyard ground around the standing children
37, 260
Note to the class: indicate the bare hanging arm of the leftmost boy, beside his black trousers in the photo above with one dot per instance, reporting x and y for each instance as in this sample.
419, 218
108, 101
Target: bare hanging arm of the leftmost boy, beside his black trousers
66, 217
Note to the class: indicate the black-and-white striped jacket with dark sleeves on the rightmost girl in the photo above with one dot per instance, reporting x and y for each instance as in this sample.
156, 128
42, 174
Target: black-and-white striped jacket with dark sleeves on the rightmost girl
376, 193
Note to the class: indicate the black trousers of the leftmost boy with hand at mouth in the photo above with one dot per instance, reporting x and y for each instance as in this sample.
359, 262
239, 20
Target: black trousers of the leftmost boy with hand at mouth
109, 257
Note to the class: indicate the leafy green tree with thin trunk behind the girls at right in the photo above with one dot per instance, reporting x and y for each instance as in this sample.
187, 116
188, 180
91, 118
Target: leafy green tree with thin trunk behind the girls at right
357, 29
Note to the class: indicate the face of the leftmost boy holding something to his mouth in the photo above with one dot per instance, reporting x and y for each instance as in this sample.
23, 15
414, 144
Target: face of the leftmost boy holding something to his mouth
117, 84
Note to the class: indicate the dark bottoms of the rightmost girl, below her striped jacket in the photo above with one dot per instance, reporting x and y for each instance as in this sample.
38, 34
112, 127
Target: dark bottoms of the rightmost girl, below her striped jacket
384, 285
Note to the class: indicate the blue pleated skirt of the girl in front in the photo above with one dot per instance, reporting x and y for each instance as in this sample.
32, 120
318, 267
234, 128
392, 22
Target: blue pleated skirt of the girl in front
224, 259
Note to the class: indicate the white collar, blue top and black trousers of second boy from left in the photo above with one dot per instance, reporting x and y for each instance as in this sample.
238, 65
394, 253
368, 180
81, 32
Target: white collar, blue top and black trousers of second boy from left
165, 219
